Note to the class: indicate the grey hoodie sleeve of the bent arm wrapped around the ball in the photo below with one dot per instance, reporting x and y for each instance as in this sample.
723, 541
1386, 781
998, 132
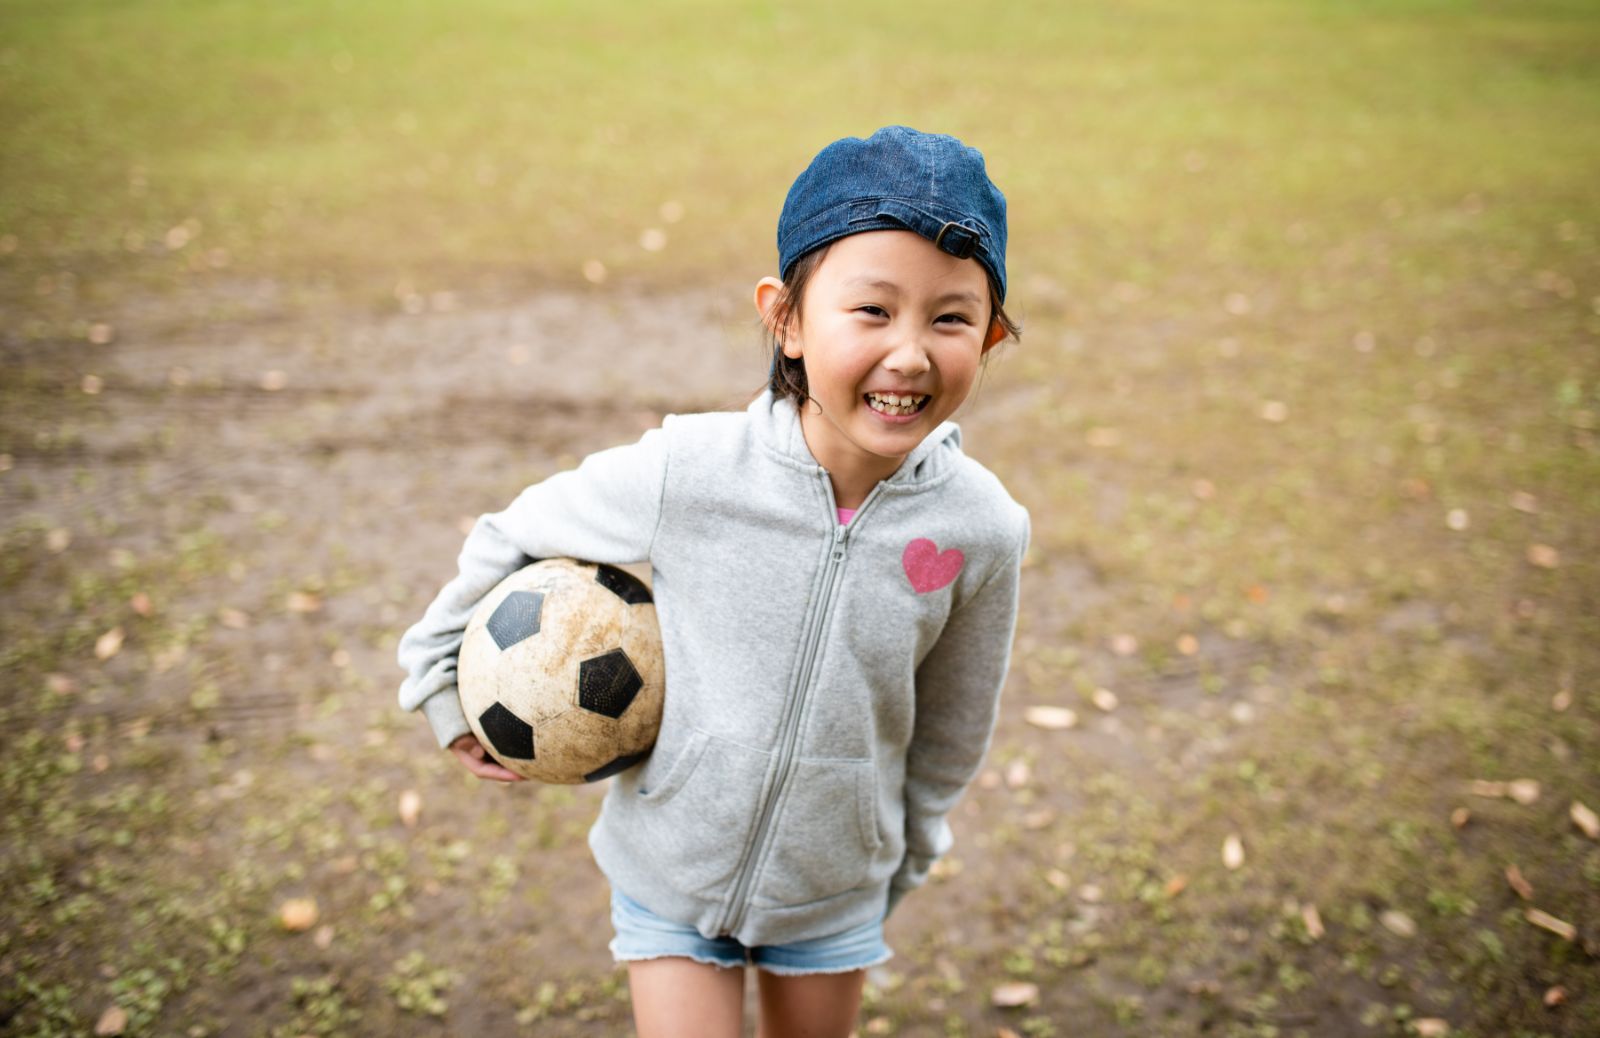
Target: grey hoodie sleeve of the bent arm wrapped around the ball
606, 511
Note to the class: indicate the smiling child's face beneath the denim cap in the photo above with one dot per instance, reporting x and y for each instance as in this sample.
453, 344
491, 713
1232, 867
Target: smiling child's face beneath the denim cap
887, 313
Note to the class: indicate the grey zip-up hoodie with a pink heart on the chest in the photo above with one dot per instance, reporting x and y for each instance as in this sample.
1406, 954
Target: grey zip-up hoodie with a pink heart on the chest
831, 690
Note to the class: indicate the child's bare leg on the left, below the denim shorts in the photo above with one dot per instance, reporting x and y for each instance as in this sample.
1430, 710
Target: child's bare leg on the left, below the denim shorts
681, 999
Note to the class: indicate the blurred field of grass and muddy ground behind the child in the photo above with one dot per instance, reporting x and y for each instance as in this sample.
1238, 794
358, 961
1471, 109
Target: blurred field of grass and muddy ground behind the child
1305, 410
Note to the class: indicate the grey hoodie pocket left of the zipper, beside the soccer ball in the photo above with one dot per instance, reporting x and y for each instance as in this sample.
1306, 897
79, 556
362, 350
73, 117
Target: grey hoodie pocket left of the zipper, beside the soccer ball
694, 818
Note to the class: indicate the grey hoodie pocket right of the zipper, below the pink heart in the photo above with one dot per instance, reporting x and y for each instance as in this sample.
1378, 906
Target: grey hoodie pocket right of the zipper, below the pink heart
825, 836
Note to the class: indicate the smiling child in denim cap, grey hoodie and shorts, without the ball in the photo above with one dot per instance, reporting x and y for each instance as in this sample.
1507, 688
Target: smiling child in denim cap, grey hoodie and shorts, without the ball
836, 585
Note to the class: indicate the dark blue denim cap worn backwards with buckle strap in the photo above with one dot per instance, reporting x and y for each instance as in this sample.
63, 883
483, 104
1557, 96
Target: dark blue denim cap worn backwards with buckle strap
897, 180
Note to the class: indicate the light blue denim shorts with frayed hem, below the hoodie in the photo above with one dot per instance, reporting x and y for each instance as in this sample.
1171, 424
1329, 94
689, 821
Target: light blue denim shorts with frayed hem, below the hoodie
642, 935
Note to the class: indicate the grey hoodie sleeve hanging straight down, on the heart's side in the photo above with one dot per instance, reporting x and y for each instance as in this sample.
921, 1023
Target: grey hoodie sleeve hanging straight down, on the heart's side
958, 701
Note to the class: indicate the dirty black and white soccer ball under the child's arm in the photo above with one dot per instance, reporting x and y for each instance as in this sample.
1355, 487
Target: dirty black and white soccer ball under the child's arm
561, 673
